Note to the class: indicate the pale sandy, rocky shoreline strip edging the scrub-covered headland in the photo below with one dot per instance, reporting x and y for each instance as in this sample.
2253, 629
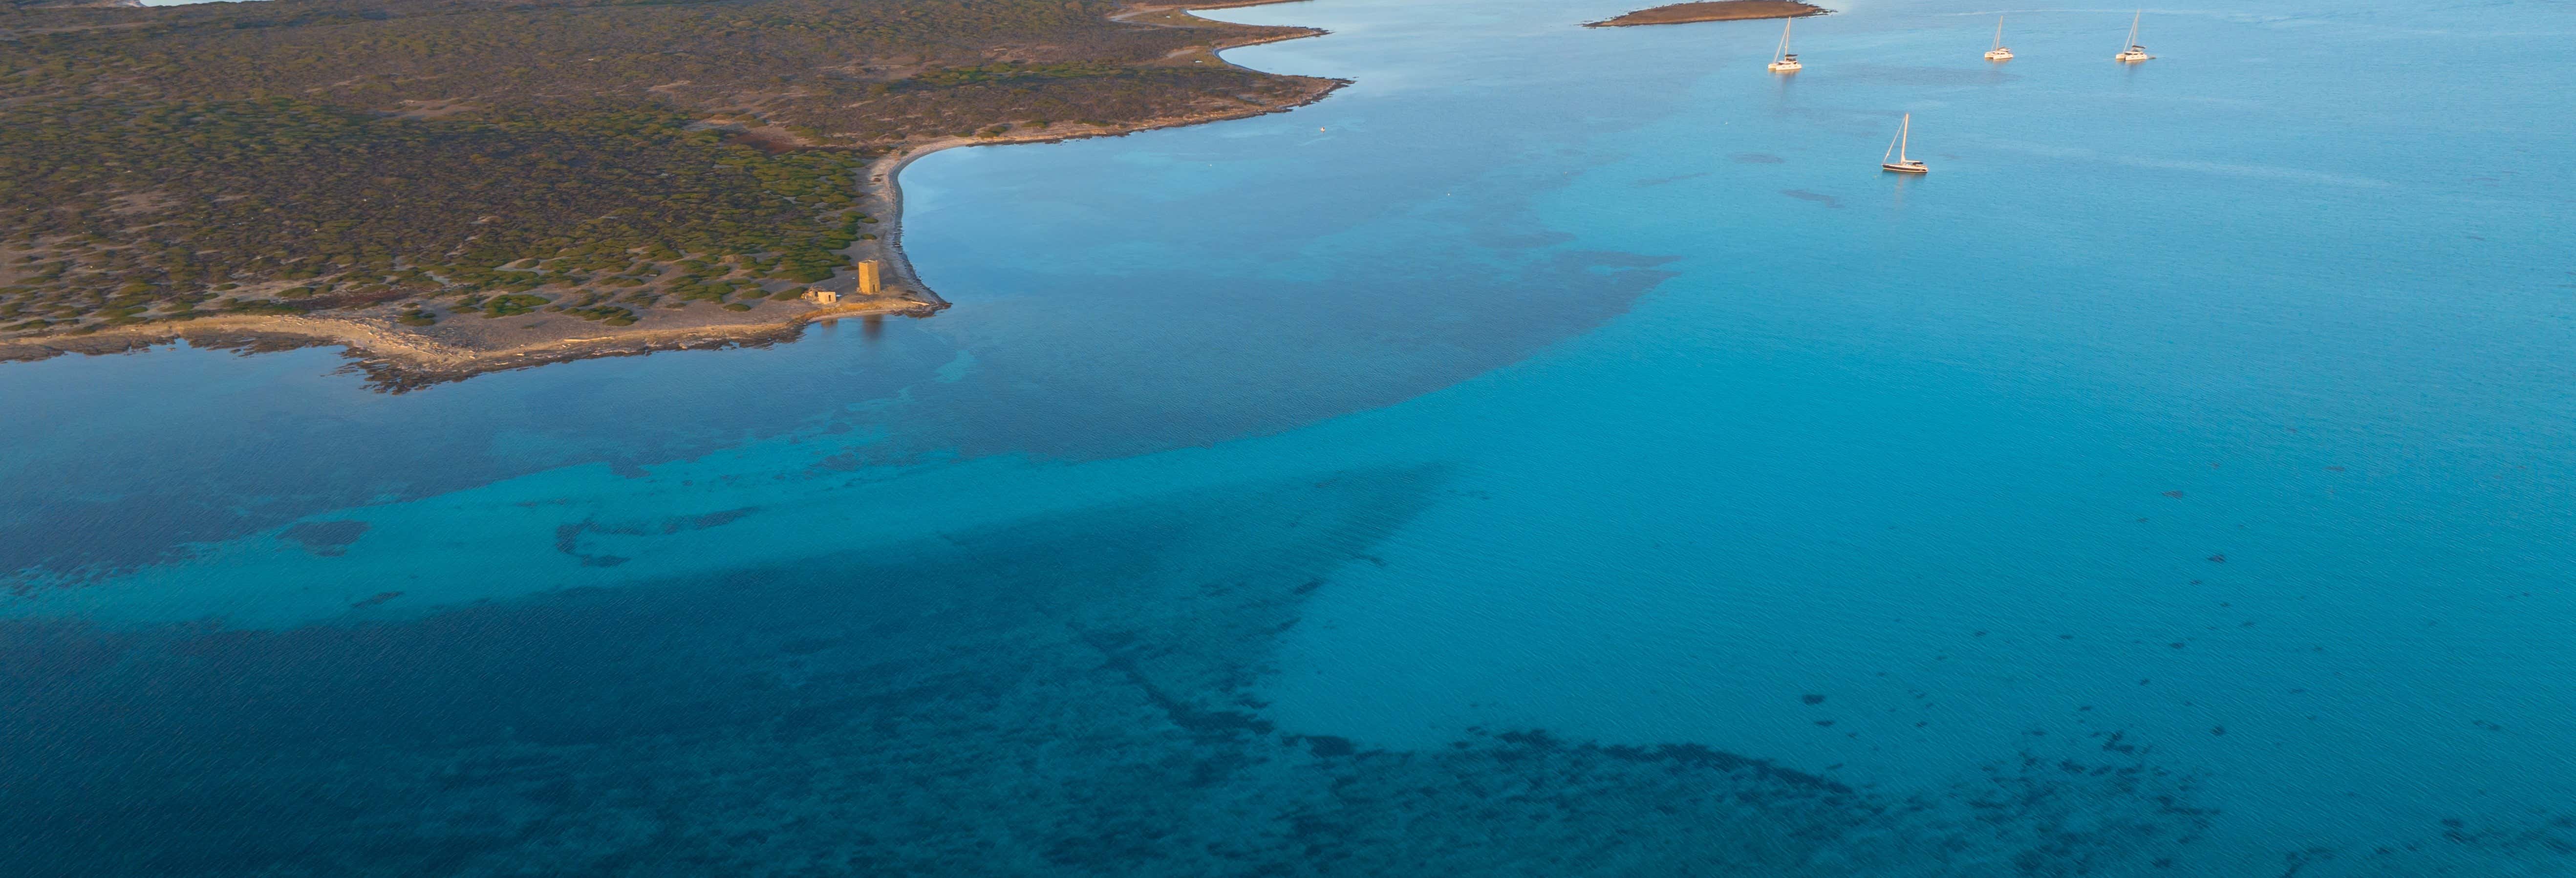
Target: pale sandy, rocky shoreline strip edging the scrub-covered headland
401, 359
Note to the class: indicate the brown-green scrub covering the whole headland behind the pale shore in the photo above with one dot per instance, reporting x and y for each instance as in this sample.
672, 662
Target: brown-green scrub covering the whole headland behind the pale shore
504, 158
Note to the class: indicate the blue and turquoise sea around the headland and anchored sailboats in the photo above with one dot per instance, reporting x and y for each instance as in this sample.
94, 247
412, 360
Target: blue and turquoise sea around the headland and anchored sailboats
1557, 454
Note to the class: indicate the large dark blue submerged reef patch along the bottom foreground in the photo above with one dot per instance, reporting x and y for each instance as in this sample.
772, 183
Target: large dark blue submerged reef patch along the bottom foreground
1063, 696
